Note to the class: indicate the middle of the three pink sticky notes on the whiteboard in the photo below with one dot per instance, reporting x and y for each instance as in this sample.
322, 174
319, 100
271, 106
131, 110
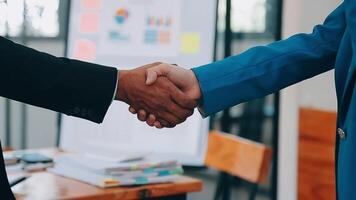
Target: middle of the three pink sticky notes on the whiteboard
89, 23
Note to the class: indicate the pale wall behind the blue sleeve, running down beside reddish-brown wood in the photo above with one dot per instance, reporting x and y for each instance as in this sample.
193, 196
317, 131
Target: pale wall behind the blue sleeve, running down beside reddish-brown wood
319, 92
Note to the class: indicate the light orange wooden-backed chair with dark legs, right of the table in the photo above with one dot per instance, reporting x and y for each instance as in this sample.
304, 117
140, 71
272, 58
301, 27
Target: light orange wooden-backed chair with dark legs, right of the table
238, 157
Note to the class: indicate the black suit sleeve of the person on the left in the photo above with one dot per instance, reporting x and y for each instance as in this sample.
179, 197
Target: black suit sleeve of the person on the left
69, 86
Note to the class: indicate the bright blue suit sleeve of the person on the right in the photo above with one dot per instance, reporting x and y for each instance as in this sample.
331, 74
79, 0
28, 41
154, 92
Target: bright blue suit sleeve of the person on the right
266, 69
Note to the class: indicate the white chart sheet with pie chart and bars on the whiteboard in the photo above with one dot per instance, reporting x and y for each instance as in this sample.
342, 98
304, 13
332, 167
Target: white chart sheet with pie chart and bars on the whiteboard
140, 28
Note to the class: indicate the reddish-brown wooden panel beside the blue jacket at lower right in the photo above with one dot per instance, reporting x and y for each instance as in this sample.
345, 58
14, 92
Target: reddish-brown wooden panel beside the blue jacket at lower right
316, 154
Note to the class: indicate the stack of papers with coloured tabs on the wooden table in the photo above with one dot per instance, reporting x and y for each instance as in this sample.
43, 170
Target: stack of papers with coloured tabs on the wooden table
105, 172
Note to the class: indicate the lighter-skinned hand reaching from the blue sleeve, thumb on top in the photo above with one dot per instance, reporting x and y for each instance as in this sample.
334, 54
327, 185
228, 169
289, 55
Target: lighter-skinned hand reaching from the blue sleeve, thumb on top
184, 79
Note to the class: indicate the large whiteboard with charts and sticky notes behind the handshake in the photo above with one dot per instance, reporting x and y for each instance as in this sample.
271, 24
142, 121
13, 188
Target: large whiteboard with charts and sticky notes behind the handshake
128, 34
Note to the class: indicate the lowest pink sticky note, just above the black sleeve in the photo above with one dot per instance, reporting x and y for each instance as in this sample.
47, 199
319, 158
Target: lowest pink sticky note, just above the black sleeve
84, 50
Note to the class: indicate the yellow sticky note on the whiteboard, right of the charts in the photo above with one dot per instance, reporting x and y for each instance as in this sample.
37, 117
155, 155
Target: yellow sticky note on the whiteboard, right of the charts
190, 43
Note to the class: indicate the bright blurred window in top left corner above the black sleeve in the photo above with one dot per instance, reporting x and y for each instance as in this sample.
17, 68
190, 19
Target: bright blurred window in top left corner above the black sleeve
32, 18
